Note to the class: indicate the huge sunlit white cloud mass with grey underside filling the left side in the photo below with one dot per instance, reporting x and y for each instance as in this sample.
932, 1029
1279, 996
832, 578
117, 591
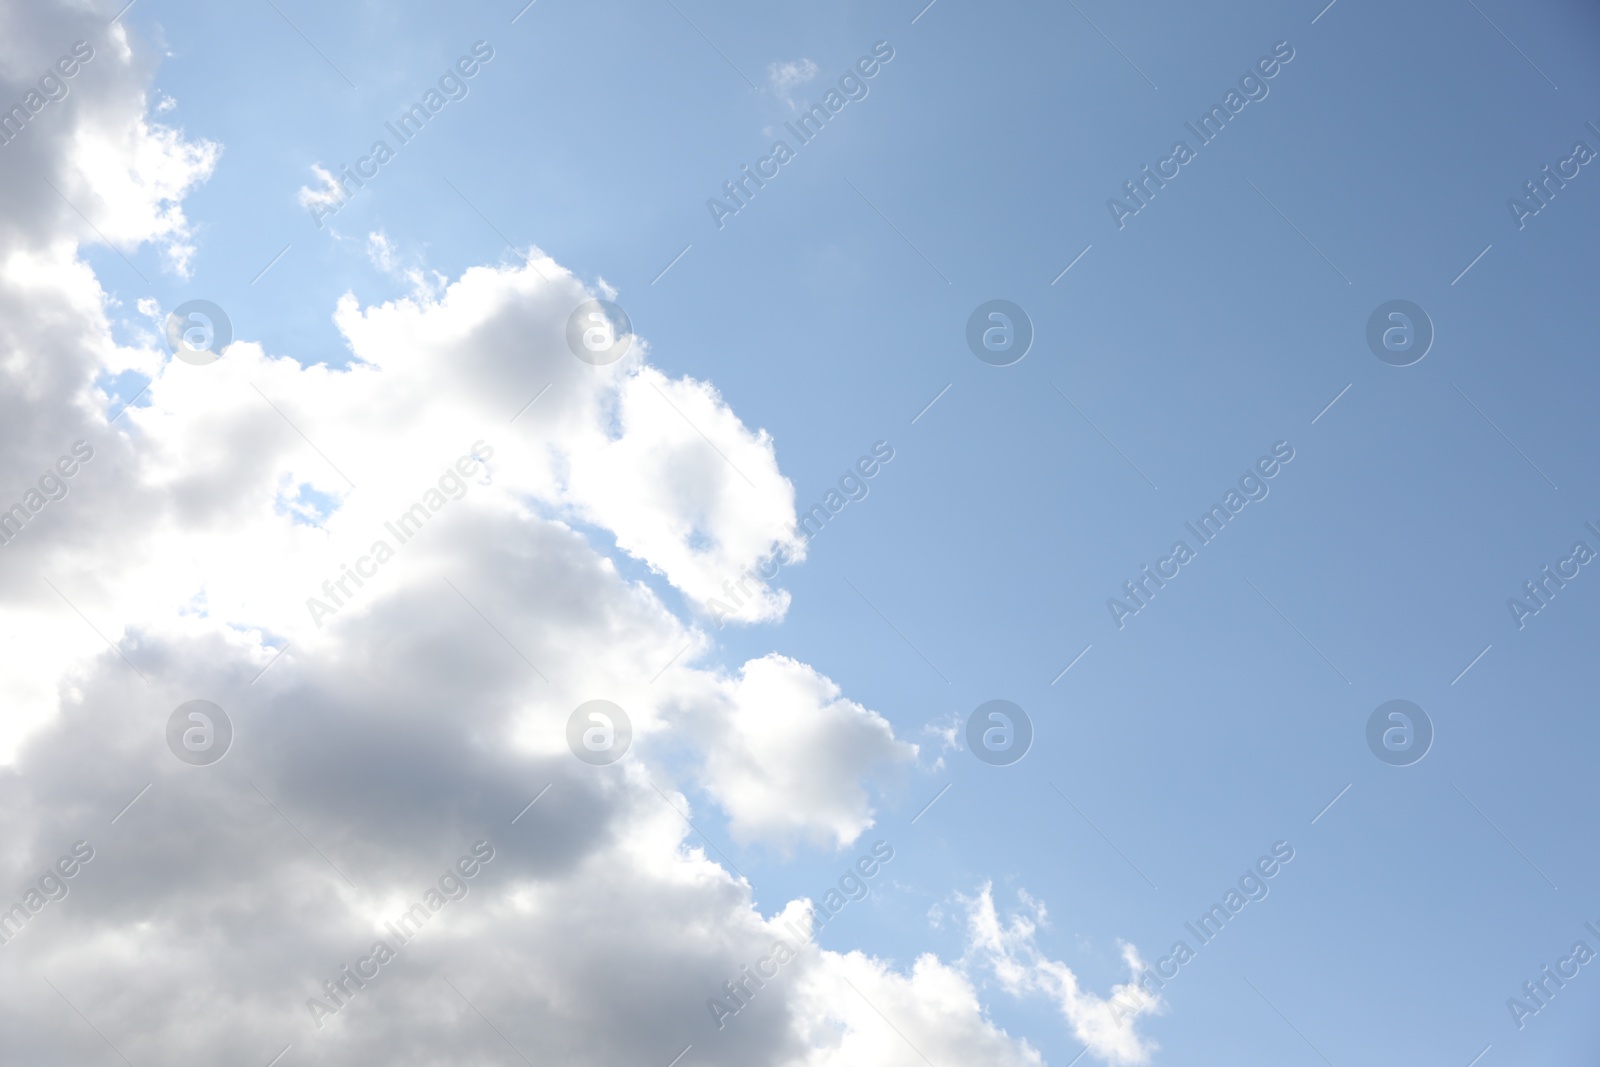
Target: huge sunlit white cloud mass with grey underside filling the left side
422, 716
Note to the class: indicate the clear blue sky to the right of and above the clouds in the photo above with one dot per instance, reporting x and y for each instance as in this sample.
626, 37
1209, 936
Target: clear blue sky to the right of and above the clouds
1180, 350
